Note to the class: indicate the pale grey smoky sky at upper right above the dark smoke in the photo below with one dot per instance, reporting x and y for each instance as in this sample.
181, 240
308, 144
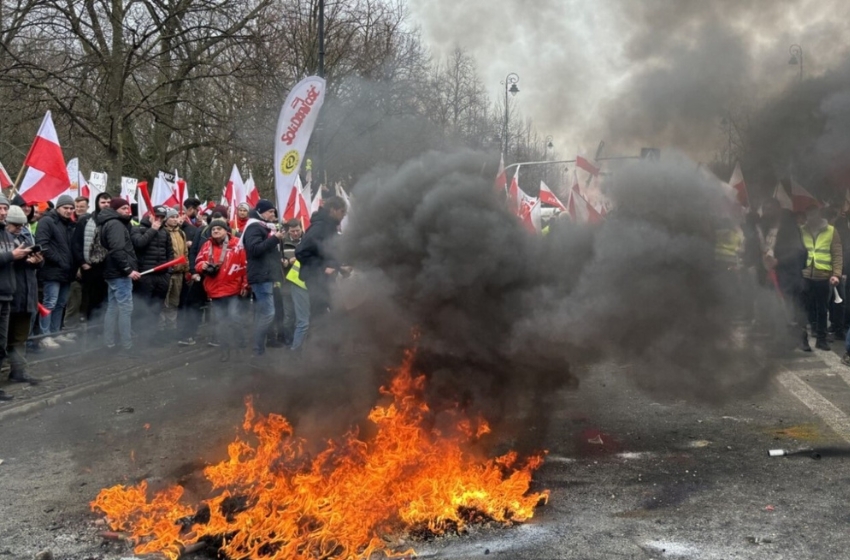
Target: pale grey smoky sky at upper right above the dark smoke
649, 73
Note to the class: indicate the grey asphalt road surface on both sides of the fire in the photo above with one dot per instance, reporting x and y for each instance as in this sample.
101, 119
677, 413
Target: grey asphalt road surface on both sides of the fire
630, 477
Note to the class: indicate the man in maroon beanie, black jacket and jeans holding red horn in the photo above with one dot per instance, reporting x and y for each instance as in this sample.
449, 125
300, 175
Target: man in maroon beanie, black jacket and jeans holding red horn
120, 270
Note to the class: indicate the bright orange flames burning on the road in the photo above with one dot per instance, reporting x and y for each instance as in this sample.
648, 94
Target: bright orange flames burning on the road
272, 500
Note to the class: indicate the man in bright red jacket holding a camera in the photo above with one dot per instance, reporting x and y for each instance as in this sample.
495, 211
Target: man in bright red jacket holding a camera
222, 264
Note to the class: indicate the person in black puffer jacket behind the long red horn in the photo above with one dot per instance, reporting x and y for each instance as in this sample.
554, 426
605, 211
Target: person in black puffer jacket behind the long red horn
153, 248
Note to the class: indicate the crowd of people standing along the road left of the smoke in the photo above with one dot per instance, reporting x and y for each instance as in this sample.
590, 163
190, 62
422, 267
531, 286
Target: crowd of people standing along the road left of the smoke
150, 282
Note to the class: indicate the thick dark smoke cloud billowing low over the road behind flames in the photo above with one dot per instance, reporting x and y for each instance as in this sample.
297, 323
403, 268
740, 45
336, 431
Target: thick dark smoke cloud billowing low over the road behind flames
505, 318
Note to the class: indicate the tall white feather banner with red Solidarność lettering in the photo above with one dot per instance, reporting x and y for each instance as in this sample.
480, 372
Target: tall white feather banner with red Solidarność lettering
294, 127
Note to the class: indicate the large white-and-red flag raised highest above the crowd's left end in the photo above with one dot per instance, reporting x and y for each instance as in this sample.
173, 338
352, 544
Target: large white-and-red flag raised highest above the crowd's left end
46, 176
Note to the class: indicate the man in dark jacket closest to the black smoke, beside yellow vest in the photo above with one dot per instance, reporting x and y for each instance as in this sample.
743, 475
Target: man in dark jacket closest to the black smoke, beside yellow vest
315, 254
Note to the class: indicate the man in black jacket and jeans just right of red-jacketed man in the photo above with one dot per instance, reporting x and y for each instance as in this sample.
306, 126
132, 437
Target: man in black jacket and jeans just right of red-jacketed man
262, 247
